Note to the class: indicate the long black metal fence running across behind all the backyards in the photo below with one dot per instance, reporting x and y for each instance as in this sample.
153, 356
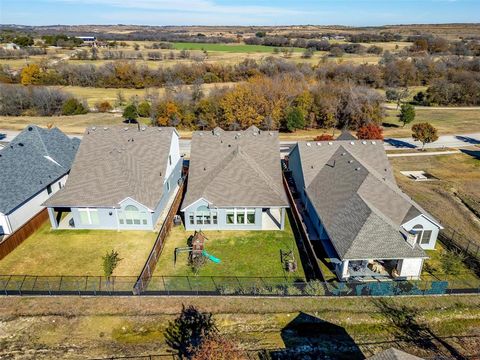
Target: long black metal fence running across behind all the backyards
231, 286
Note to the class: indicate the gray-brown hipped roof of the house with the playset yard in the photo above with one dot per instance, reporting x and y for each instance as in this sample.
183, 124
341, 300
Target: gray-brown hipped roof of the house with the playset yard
235, 168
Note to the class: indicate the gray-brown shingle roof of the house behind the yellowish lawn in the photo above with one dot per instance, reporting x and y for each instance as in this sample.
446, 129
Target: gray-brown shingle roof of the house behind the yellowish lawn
114, 163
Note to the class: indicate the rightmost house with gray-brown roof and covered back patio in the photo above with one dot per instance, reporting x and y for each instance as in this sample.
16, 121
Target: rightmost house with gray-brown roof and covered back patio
353, 207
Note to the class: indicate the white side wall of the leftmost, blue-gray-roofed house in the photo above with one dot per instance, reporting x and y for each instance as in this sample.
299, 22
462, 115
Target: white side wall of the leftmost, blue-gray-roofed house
33, 206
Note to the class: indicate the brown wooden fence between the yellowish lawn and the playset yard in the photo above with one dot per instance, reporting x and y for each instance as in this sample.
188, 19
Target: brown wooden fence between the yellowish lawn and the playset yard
149, 267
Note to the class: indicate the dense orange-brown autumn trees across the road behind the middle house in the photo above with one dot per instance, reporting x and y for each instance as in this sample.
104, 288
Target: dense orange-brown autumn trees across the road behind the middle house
282, 102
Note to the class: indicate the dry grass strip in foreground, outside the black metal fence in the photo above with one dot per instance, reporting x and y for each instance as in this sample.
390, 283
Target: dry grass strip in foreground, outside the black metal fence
89, 327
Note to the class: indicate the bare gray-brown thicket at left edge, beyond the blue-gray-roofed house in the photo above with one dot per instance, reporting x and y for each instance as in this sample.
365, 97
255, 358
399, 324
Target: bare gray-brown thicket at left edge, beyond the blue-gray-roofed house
16, 100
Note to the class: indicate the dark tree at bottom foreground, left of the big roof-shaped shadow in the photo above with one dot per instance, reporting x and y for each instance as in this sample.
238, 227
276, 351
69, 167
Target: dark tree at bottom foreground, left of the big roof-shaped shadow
187, 332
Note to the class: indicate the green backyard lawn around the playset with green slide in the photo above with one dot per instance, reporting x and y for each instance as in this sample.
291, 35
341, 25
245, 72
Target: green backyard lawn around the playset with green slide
242, 253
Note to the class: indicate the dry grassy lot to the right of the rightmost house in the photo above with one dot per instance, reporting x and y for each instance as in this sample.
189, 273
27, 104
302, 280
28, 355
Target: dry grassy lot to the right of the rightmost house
458, 175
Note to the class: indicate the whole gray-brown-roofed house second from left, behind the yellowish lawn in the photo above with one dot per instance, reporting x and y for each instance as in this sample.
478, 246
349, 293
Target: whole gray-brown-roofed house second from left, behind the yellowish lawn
123, 178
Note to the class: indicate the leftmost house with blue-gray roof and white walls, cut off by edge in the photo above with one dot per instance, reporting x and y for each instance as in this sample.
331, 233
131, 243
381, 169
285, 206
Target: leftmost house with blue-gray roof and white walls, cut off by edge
33, 167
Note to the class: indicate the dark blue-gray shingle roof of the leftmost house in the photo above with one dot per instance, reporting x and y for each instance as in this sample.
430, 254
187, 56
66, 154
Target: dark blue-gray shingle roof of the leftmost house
32, 160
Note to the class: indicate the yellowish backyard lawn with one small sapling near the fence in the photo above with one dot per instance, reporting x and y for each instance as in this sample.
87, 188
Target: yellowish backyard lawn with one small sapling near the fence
78, 252
